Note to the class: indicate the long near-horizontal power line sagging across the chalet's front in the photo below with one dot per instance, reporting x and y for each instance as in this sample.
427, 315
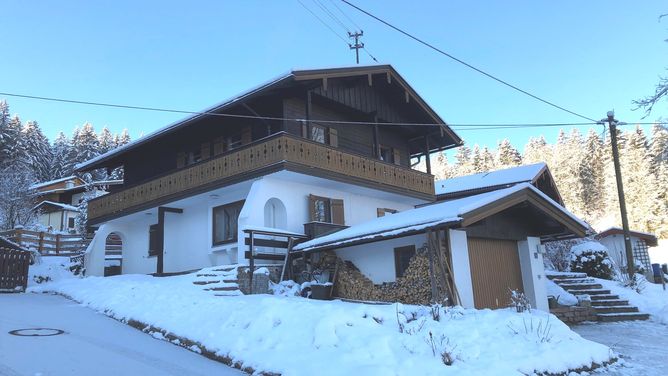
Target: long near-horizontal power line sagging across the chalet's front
342, 122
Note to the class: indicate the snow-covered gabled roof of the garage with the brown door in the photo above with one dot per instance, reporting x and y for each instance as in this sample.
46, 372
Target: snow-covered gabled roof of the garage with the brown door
422, 218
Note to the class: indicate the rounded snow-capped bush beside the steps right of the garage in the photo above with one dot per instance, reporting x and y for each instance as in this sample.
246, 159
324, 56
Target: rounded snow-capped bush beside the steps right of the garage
592, 258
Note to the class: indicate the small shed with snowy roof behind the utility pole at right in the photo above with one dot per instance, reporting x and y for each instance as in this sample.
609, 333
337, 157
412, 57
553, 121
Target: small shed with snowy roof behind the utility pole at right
613, 239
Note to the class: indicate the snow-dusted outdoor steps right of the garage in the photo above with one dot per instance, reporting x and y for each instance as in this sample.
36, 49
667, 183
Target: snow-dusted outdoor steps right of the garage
608, 307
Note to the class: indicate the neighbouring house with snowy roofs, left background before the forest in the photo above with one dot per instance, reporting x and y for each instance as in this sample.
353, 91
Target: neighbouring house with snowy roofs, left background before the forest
58, 201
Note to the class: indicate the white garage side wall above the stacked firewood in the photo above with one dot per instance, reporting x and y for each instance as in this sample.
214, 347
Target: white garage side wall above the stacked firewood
376, 260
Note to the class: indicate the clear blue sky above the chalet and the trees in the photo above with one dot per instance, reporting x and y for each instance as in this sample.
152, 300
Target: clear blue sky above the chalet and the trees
588, 56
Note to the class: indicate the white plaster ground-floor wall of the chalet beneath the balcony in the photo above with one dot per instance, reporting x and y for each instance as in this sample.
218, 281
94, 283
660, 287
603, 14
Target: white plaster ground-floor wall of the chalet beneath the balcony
188, 236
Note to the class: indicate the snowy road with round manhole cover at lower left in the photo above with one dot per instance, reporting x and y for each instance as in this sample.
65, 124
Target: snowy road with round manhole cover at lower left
92, 344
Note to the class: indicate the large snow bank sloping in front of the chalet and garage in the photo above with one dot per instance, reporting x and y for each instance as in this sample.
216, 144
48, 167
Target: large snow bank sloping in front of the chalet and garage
296, 336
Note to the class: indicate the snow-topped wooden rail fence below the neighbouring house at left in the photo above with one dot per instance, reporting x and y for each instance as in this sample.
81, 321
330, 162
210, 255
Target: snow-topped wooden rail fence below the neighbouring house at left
47, 243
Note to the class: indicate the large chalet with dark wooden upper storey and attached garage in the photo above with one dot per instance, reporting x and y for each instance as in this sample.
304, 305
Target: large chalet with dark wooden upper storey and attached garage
313, 154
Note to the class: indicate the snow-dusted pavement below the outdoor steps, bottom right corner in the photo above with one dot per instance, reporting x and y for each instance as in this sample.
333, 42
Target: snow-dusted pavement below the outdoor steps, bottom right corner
642, 345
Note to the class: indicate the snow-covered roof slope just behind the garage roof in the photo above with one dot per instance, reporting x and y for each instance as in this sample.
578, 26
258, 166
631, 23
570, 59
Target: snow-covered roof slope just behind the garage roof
499, 178
